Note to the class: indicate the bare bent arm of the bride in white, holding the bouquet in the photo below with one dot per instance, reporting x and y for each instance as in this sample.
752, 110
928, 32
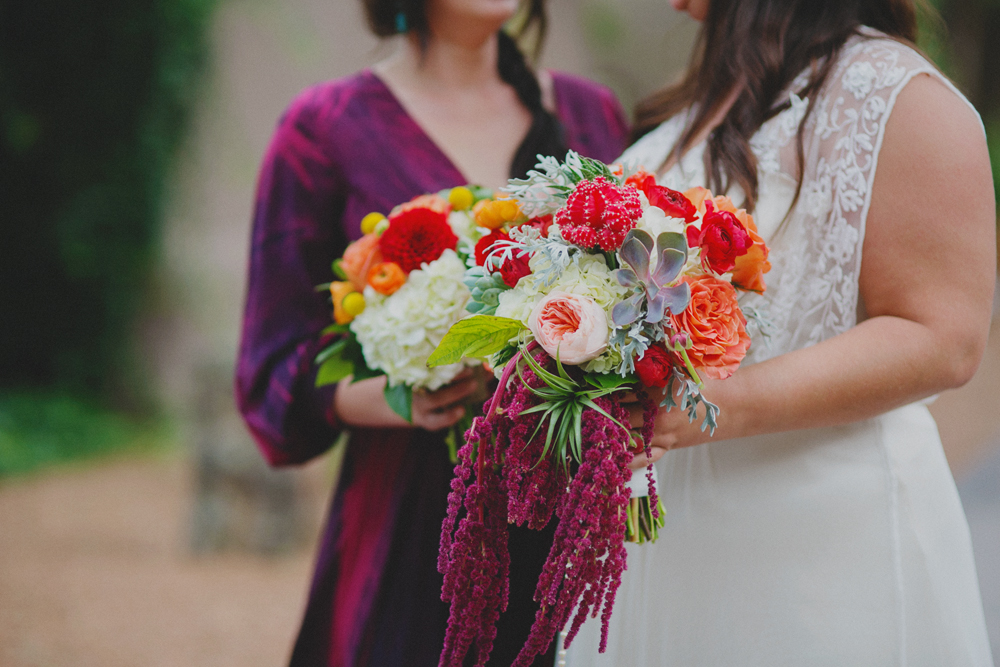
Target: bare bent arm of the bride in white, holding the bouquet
926, 281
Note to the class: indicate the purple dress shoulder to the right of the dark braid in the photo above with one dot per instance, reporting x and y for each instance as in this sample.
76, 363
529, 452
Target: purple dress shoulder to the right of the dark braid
595, 122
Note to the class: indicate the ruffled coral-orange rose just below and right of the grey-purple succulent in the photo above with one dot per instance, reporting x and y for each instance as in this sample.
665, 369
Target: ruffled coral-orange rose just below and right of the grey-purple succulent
716, 326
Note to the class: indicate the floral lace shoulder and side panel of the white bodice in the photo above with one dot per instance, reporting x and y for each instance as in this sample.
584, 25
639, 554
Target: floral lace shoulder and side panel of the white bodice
813, 291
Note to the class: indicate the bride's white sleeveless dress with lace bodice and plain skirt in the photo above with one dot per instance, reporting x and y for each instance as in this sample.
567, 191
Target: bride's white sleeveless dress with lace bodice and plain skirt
840, 546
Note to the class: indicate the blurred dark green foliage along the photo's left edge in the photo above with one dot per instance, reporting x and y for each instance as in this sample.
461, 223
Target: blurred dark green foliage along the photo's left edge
94, 96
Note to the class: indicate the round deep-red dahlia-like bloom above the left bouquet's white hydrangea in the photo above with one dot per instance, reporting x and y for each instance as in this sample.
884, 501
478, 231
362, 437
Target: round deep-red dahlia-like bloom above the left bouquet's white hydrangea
416, 236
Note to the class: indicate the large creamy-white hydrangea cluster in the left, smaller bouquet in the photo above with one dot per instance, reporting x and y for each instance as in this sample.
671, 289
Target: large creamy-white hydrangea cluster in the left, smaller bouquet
397, 333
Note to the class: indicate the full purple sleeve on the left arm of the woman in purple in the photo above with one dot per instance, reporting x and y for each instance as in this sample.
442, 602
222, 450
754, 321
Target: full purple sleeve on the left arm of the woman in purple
296, 233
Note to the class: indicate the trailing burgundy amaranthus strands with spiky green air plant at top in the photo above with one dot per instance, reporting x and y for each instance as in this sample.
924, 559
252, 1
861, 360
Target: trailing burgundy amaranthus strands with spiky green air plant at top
510, 472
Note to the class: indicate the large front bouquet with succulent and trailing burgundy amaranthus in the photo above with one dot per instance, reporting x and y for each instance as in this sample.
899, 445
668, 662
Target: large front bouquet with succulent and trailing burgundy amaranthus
611, 284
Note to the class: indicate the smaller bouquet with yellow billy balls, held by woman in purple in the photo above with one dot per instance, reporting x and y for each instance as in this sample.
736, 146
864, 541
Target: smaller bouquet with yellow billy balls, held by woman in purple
401, 288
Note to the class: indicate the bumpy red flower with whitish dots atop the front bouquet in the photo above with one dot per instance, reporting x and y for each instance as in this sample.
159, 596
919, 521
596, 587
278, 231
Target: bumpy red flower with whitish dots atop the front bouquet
599, 213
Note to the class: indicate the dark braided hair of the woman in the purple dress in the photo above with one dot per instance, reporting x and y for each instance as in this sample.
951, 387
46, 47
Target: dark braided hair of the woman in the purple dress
546, 136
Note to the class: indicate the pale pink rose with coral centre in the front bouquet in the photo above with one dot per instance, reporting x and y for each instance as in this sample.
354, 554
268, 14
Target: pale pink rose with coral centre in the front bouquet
571, 325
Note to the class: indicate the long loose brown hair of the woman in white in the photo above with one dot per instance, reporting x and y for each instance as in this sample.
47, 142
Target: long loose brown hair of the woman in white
760, 46
